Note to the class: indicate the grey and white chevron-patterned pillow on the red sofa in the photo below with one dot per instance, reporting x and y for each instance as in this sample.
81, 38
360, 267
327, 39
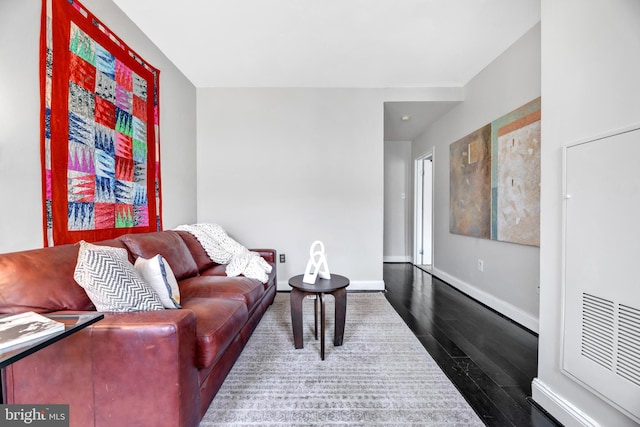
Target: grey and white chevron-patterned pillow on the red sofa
111, 282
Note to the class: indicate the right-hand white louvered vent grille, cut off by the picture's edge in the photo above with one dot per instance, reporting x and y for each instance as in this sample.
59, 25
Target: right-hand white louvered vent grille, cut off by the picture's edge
628, 365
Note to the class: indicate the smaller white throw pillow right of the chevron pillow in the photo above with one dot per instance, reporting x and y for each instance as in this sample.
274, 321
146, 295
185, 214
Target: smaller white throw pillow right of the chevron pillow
158, 274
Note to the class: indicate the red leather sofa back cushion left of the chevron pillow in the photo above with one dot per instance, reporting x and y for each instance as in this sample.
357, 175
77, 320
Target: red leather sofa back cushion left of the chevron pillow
41, 280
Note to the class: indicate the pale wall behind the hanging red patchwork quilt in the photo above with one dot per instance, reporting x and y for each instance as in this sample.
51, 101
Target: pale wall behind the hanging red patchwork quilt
20, 173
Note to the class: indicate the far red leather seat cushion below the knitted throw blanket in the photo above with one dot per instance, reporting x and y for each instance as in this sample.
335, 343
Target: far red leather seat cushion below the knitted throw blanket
238, 288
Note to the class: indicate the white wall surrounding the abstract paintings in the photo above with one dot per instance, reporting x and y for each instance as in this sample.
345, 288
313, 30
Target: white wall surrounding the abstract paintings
510, 279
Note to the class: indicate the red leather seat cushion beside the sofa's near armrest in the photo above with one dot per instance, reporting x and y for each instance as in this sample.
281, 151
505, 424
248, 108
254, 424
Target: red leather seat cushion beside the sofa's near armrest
218, 321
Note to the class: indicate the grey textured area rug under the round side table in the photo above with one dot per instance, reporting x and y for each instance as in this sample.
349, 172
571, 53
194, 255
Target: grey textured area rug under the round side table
381, 375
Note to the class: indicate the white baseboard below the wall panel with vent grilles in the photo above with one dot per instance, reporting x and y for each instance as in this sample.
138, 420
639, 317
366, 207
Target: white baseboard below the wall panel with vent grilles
560, 408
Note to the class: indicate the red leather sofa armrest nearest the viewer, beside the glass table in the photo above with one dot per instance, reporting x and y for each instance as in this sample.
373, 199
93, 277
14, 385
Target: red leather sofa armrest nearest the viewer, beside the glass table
110, 371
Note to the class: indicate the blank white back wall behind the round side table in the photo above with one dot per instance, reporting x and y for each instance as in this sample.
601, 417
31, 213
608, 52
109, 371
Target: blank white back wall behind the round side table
284, 167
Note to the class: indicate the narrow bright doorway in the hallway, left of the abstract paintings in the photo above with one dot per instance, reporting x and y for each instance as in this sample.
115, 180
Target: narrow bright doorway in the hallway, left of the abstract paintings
423, 251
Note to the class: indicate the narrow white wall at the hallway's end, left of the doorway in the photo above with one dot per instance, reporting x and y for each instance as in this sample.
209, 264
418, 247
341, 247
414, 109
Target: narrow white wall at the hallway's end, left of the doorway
398, 202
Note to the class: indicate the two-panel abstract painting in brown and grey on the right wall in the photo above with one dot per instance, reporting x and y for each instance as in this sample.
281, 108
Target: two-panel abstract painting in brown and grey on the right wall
495, 179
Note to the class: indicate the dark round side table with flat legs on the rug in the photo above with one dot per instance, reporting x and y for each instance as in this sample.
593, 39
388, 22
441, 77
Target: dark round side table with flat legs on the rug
335, 286
